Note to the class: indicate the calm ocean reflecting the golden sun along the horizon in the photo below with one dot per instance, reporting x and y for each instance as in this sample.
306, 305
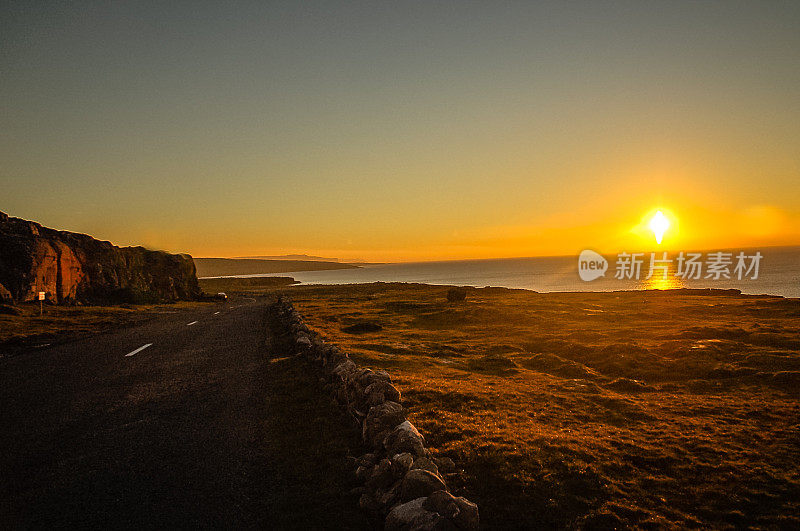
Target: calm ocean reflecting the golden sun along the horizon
778, 273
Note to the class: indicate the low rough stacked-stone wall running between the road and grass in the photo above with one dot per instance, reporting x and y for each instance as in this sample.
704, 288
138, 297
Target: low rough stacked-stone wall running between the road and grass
403, 485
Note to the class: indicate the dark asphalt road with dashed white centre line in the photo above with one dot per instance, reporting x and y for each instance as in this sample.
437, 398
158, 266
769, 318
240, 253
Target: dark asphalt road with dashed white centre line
157, 425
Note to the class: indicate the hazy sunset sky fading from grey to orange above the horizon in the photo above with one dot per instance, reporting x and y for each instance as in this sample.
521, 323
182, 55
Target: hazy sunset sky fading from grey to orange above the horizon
393, 131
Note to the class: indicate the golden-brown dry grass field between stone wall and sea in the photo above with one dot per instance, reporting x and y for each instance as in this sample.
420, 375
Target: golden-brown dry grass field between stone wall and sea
592, 410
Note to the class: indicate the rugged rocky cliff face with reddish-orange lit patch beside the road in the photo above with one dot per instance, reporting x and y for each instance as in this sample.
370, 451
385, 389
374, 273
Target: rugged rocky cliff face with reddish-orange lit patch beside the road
73, 267
